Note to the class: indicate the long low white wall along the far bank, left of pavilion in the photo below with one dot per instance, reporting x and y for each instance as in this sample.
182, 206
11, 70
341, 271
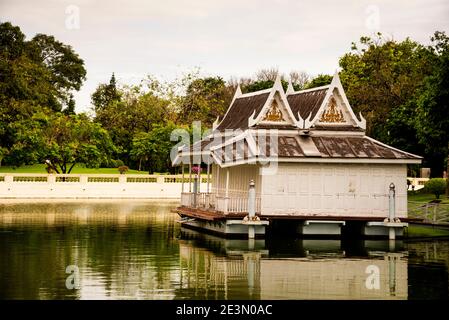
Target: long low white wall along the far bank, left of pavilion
55, 186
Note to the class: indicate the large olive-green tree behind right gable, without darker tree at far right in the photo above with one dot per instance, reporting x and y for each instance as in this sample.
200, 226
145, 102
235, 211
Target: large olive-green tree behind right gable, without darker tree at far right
380, 77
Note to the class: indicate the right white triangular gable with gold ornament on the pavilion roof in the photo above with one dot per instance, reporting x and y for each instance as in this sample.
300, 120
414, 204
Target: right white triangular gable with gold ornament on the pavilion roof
333, 114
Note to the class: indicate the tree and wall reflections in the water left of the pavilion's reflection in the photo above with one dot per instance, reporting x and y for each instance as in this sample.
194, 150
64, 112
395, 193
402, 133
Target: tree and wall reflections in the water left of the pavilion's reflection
121, 252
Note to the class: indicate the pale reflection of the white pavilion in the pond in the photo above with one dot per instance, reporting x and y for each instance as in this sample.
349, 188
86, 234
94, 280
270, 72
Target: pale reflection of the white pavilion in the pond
217, 268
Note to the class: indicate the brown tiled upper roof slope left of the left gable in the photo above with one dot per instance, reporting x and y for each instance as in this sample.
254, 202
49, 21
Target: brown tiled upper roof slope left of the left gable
241, 110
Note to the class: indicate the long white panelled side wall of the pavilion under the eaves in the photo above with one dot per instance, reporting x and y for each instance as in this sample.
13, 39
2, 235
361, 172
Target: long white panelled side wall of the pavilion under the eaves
336, 190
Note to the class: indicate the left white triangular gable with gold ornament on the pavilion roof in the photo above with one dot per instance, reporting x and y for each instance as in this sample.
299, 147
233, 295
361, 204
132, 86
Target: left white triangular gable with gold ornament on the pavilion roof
271, 111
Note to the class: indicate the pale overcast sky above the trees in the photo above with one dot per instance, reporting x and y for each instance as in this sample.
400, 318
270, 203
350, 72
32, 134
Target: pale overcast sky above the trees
228, 38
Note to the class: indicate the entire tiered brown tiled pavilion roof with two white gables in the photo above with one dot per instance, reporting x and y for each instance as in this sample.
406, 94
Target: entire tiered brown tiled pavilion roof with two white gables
313, 125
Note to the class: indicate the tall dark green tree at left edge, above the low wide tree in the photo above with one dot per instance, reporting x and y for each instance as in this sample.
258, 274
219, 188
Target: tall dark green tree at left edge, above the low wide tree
35, 76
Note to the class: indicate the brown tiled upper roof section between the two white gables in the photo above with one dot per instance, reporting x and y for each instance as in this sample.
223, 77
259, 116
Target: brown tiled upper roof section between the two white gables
307, 102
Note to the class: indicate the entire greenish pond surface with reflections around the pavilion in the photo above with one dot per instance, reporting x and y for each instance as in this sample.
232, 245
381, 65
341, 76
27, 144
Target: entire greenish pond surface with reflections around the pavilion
136, 250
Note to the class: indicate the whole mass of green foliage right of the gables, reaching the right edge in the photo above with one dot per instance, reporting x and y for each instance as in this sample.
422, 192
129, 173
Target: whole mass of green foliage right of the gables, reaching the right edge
401, 90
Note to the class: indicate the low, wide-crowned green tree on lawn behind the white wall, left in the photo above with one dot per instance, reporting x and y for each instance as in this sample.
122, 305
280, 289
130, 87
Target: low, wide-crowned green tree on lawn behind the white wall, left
61, 141
